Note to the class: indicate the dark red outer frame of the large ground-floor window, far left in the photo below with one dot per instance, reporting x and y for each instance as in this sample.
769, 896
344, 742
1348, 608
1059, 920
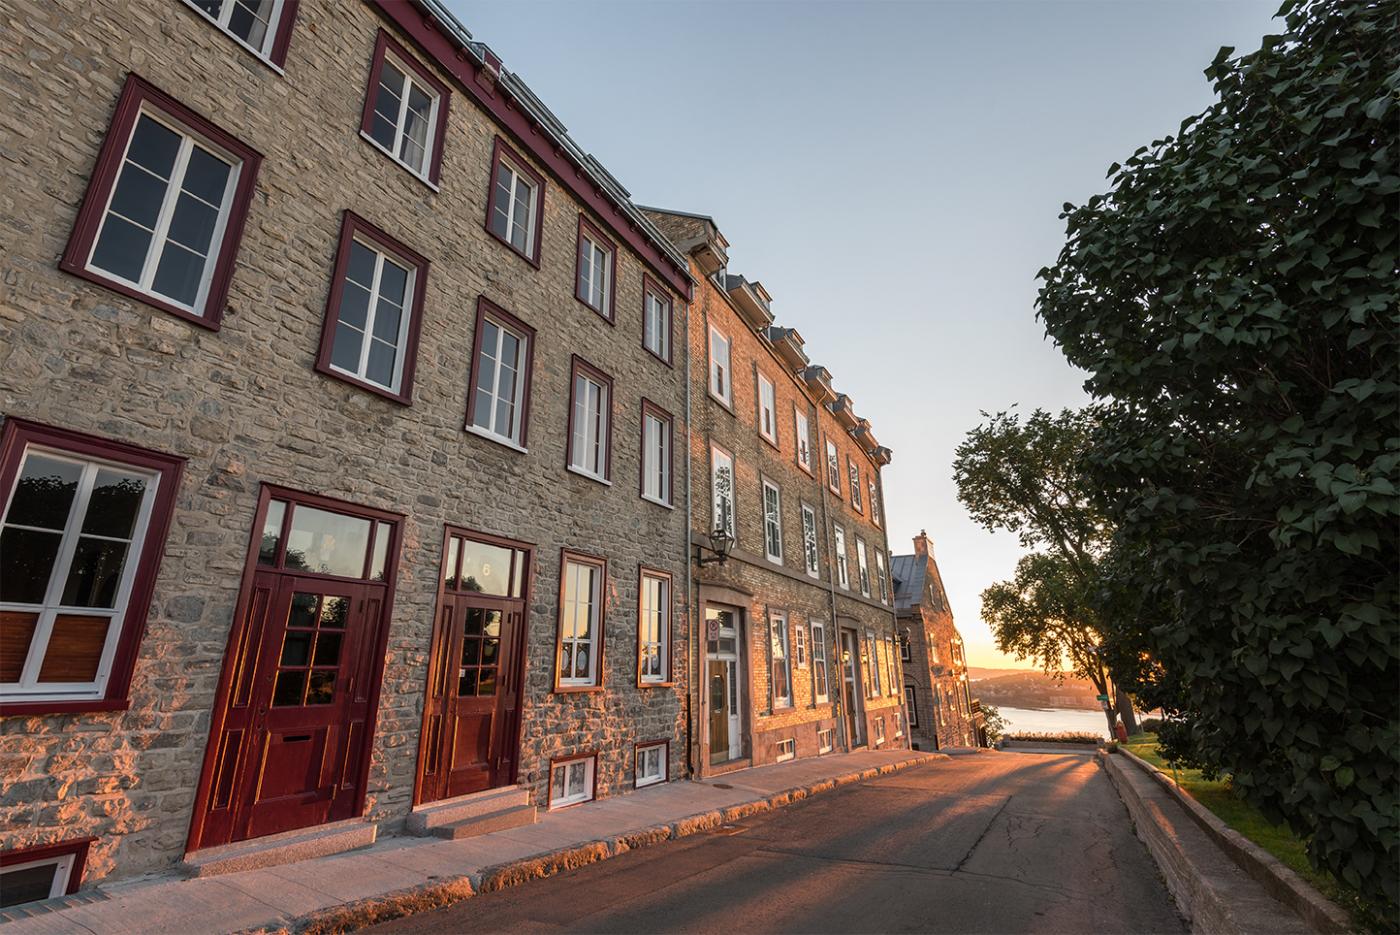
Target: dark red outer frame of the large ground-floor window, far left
15, 439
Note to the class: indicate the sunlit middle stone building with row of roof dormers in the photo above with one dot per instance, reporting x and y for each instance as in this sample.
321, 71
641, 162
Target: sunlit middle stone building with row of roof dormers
797, 654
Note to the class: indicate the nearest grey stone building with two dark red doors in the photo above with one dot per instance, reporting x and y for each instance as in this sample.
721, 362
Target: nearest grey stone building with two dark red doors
341, 421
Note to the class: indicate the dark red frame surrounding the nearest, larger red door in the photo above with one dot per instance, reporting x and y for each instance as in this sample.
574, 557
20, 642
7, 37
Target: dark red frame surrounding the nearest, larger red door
240, 635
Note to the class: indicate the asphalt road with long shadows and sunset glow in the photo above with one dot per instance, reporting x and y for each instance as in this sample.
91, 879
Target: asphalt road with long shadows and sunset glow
982, 843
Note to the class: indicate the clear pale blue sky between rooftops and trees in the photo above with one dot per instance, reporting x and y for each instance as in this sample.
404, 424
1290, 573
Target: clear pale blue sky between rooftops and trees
892, 173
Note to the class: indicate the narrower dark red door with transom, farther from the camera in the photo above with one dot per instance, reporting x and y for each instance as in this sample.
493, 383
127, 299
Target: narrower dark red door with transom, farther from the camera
471, 717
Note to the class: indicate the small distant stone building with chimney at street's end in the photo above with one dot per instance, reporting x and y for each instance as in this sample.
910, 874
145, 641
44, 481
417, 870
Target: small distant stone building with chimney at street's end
937, 698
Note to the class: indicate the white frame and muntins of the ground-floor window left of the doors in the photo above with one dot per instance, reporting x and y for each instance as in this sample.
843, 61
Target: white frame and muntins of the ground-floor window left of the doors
29, 688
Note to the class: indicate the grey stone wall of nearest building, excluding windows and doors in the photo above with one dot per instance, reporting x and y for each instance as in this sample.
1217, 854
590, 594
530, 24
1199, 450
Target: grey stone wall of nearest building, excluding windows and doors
246, 407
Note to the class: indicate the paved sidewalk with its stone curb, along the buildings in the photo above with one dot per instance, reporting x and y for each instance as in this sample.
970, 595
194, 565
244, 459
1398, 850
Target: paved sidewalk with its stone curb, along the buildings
401, 874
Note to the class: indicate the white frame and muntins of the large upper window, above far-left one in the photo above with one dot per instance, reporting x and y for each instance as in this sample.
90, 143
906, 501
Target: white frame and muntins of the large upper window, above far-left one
156, 250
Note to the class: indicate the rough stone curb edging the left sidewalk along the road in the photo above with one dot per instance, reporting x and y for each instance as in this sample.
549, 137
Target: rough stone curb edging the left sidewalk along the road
442, 894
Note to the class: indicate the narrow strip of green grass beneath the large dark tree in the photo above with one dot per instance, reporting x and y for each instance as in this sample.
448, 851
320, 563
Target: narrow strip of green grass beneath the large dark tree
1248, 821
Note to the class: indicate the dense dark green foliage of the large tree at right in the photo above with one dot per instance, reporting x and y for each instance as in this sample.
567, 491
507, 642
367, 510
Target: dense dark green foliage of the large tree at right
1234, 302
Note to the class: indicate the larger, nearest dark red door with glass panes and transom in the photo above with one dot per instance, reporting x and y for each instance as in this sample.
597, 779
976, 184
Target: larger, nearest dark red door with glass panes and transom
290, 741
